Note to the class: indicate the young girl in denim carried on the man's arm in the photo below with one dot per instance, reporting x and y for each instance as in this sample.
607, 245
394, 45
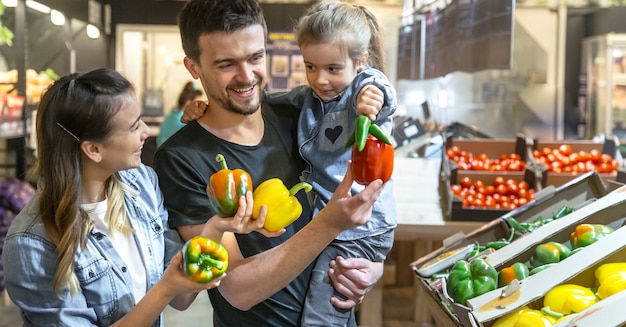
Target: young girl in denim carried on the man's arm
342, 50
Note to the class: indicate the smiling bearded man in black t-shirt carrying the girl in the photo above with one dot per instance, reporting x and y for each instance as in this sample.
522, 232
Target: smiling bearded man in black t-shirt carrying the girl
267, 279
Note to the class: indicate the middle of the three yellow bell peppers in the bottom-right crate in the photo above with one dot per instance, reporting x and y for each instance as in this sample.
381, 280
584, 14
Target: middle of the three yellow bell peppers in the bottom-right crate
568, 298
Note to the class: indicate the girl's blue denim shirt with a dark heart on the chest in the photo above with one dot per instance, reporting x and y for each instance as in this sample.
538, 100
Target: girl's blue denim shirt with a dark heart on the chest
323, 130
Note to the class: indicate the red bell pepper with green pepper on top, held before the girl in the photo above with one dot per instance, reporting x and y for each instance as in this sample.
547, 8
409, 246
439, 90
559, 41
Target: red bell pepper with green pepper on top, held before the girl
372, 153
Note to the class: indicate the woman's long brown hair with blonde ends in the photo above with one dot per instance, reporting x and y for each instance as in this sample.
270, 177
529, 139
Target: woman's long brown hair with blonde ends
76, 108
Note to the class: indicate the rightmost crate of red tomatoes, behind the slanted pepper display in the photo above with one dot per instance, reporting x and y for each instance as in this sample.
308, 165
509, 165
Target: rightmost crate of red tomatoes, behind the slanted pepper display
565, 161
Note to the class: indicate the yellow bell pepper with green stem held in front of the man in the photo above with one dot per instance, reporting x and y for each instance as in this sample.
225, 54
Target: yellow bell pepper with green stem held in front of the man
283, 207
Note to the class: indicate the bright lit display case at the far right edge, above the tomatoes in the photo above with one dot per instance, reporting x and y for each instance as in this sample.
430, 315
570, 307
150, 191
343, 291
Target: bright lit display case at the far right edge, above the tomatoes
604, 70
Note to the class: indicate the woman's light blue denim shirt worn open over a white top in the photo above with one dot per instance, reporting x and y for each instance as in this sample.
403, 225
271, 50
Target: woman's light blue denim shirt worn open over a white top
105, 294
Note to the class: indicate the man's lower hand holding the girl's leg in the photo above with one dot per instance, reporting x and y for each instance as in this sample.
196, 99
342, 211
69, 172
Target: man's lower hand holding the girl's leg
353, 278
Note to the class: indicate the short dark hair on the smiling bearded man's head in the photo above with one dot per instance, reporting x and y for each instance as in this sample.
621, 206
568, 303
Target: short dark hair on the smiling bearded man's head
200, 17
